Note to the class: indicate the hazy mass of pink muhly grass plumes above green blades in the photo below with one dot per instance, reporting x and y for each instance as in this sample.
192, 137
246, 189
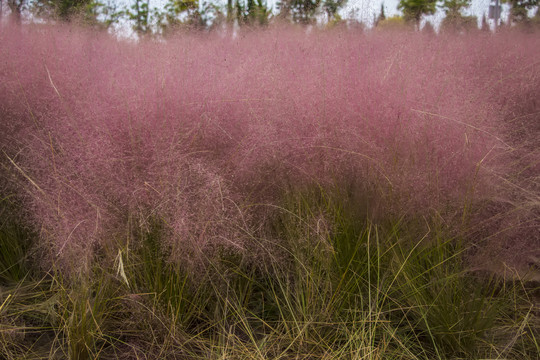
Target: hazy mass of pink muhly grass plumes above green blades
192, 130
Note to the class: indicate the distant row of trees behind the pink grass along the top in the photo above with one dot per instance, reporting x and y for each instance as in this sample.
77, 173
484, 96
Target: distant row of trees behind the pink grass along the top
207, 15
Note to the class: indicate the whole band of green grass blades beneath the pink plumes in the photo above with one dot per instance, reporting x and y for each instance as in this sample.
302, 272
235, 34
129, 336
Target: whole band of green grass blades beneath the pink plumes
341, 287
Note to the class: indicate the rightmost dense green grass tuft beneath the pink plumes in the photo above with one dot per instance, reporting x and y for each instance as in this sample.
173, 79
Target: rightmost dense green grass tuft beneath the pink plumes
451, 308
